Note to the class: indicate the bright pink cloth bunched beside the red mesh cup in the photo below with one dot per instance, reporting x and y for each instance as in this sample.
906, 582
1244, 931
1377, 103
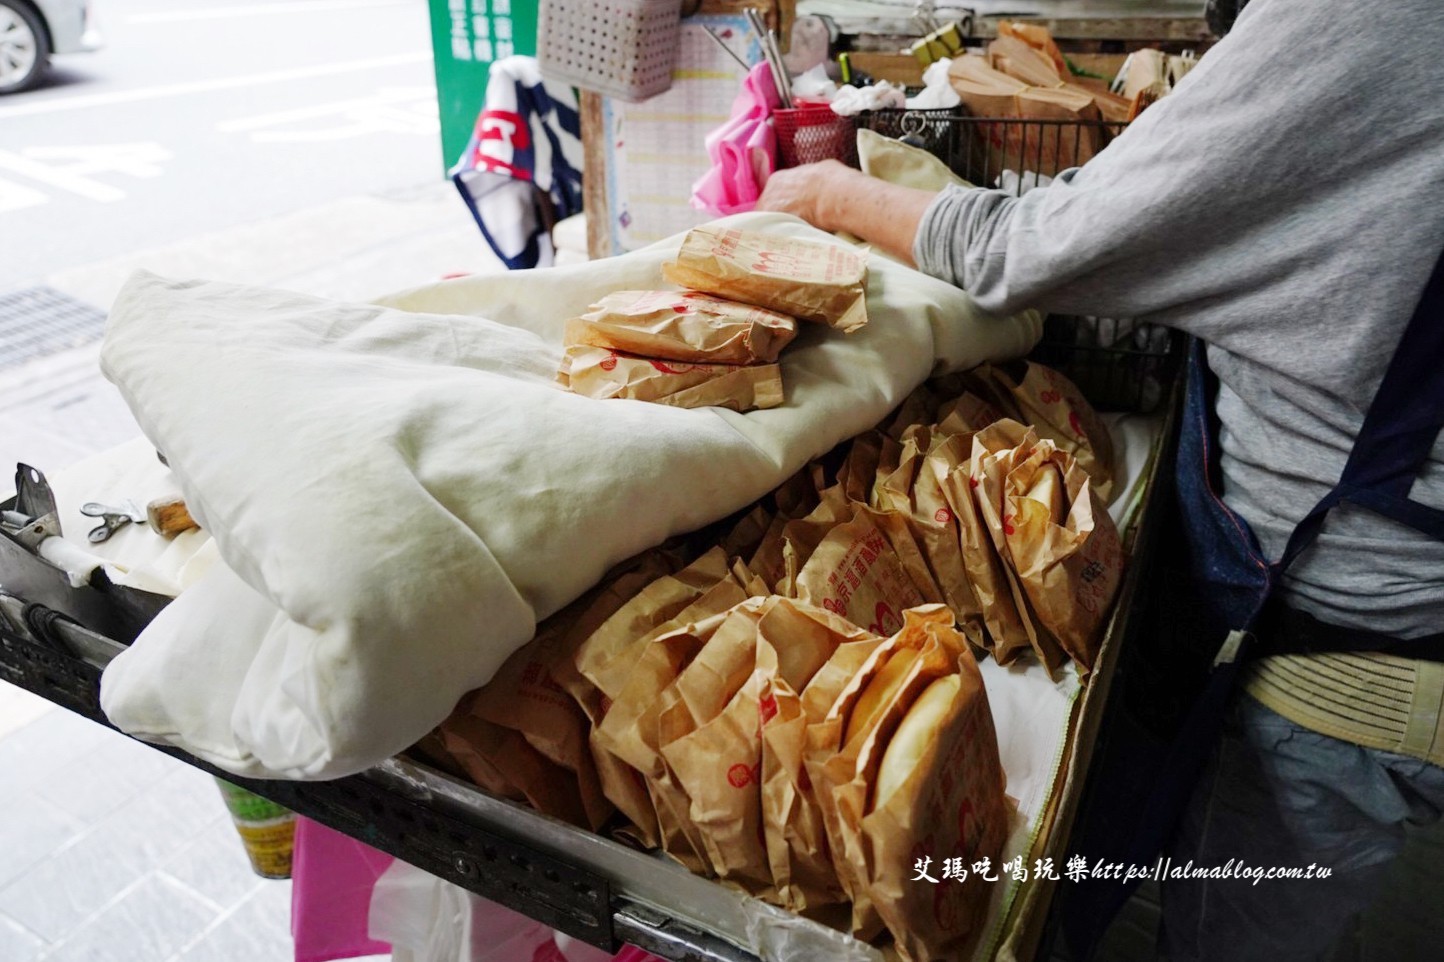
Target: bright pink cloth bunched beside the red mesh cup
743, 151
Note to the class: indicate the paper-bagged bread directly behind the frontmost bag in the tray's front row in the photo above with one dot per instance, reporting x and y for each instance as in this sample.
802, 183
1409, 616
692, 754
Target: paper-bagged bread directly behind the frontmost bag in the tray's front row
845, 747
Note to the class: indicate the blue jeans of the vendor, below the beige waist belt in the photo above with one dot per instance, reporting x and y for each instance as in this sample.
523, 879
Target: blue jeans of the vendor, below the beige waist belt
1282, 795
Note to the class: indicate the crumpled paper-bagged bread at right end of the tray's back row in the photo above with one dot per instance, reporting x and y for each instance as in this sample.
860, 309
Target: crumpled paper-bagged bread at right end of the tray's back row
1065, 548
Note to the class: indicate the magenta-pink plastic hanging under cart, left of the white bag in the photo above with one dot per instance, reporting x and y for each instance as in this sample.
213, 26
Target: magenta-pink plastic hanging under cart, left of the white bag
333, 877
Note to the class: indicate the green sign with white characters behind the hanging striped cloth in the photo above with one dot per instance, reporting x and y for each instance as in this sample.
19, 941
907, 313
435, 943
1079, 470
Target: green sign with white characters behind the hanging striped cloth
467, 38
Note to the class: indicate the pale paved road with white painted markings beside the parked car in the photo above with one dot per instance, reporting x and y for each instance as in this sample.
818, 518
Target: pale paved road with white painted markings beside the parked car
204, 115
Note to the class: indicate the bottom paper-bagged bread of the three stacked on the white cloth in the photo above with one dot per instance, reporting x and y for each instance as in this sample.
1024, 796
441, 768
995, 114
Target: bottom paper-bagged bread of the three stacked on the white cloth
601, 373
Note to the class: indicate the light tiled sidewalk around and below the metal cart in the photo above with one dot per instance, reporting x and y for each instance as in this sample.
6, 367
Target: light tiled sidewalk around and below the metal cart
112, 851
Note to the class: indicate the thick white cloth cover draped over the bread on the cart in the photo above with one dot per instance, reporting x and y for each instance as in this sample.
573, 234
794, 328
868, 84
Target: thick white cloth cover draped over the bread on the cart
399, 492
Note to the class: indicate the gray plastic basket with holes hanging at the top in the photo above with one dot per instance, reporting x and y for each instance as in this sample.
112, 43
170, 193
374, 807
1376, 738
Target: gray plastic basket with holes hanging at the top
620, 48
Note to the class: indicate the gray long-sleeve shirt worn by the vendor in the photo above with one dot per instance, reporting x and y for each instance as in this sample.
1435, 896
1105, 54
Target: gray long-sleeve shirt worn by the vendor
1286, 204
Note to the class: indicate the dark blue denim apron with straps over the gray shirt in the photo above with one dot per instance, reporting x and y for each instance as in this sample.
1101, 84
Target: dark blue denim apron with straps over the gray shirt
1240, 586
